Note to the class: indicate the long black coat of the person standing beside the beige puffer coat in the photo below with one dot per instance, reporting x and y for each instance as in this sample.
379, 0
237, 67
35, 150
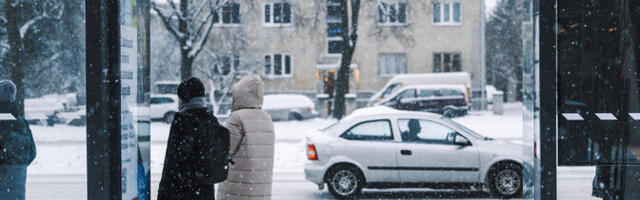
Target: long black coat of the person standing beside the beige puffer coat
180, 162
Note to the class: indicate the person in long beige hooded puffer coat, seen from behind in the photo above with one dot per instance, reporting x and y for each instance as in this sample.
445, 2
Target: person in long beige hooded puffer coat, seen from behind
252, 141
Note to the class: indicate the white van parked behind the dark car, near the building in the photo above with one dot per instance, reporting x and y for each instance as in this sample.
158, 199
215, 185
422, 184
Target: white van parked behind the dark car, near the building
399, 81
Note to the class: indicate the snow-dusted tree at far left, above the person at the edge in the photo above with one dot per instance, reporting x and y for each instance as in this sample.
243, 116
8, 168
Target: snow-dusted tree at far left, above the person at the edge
28, 53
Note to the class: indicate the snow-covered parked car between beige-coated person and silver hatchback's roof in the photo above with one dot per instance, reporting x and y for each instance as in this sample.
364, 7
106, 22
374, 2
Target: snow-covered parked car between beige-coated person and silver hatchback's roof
289, 107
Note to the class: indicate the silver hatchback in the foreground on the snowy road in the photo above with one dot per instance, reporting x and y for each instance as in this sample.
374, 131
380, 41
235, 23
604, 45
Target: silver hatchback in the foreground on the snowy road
380, 147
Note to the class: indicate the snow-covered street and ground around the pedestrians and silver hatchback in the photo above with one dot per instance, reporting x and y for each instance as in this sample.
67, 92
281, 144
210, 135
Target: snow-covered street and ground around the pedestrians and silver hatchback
59, 171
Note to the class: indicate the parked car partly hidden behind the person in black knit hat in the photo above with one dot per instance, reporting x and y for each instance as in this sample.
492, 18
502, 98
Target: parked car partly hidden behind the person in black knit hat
164, 107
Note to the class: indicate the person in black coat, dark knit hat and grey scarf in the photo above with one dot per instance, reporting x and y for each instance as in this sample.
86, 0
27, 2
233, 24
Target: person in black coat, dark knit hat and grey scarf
179, 171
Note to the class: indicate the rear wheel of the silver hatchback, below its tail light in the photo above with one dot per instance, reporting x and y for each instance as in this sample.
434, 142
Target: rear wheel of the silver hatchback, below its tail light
345, 182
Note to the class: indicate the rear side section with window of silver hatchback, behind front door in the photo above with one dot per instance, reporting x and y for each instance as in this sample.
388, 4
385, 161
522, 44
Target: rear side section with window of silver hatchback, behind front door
371, 143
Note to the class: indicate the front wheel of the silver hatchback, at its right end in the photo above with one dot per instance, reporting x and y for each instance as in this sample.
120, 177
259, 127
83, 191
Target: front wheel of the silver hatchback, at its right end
506, 181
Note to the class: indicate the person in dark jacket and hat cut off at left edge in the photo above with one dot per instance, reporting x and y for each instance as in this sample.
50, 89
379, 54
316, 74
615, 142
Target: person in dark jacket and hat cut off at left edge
16, 143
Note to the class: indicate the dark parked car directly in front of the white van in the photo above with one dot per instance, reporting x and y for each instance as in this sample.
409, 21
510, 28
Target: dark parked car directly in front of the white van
448, 100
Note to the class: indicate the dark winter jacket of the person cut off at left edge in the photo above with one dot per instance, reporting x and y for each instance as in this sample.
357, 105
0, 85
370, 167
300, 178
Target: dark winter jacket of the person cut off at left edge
16, 142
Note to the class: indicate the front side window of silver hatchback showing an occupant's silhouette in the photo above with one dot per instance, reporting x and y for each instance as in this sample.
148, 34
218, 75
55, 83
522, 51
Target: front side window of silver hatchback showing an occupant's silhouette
425, 131
